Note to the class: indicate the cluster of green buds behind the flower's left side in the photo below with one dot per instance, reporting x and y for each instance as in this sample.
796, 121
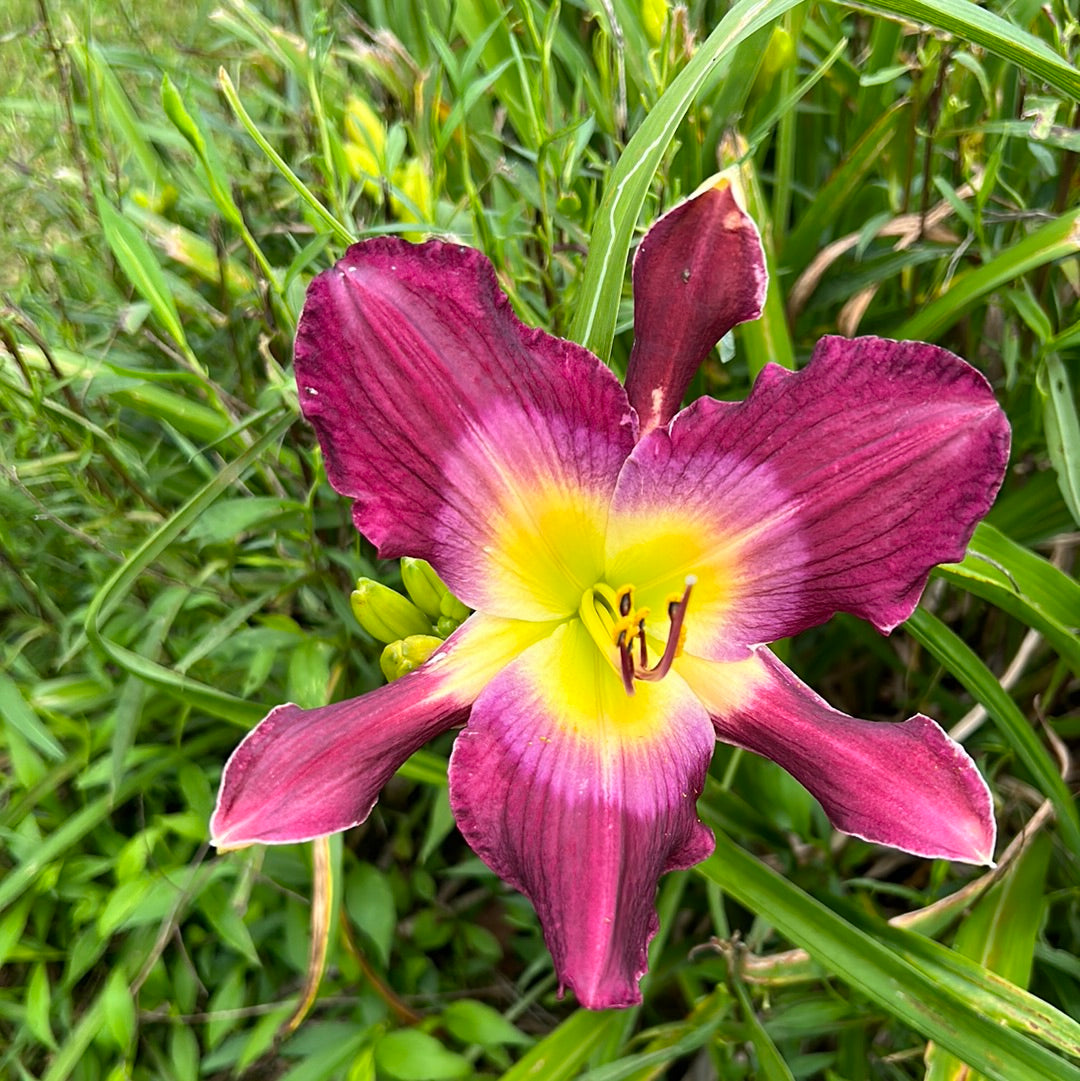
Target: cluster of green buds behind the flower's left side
411, 628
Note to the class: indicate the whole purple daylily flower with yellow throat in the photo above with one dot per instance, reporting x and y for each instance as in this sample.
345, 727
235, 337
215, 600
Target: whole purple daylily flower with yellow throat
626, 563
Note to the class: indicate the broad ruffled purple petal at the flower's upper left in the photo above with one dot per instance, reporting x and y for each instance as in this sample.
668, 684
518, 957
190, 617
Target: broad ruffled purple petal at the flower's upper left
459, 432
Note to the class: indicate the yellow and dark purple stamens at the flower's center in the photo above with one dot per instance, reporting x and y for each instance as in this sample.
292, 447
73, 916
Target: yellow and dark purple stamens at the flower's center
612, 620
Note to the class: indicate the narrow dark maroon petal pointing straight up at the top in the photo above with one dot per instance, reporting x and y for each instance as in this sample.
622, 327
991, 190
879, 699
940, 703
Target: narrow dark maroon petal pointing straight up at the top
699, 272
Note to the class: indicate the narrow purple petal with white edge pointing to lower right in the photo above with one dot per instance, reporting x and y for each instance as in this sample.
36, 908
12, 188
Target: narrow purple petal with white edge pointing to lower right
905, 785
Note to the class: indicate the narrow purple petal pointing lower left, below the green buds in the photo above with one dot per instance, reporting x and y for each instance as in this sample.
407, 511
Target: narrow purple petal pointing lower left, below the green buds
304, 773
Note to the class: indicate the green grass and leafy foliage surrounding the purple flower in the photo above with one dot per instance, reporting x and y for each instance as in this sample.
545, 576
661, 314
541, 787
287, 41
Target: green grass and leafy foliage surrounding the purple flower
175, 563
